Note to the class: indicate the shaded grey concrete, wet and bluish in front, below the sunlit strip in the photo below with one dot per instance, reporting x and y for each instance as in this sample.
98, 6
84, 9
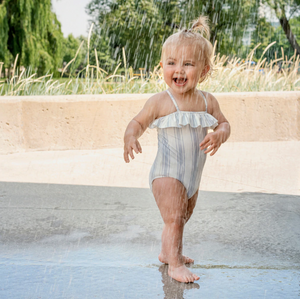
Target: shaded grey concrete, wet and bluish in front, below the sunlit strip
70, 241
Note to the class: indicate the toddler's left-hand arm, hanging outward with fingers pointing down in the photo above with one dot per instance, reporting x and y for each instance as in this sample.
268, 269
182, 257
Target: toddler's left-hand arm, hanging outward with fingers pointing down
137, 127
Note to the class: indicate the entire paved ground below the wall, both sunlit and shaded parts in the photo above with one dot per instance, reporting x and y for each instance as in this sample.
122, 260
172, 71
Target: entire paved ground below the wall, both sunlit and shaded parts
64, 233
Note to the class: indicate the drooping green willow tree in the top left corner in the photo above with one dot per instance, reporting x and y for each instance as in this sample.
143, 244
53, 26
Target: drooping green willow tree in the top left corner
29, 28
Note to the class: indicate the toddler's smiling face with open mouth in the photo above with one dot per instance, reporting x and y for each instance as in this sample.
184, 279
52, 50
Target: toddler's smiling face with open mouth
182, 67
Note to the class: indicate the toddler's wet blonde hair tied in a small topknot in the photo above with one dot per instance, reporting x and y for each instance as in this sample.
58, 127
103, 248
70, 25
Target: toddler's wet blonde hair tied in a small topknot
195, 36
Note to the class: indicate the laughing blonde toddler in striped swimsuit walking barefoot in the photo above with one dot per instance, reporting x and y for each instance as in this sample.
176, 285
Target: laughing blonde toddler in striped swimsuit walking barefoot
182, 115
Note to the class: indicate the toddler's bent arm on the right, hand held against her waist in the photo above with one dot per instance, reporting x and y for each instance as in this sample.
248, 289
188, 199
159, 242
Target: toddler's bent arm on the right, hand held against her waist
213, 140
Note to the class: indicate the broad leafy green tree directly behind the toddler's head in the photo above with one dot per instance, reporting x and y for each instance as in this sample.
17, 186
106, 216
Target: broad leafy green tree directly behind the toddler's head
141, 26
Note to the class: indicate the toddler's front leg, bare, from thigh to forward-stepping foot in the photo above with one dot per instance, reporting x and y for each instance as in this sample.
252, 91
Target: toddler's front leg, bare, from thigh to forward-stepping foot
171, 198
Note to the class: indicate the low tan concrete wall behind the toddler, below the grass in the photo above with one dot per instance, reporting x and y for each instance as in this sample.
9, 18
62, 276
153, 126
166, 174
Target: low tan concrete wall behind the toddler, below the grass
97, 121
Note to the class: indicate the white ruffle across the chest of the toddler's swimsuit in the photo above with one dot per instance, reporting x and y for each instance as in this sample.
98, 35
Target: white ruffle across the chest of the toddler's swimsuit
180, 119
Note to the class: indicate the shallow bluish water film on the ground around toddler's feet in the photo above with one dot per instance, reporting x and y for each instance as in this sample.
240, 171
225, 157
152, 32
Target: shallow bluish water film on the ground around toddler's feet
105, 273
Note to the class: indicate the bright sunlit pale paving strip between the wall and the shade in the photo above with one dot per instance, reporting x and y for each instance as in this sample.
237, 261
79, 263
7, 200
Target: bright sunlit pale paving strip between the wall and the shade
271, 167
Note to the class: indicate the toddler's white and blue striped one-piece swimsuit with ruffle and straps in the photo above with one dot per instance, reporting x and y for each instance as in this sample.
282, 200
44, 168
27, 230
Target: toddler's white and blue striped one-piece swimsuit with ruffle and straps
179, 155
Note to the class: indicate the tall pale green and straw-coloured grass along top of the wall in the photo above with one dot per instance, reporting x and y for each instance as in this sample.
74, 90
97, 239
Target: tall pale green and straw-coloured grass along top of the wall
230, 74
